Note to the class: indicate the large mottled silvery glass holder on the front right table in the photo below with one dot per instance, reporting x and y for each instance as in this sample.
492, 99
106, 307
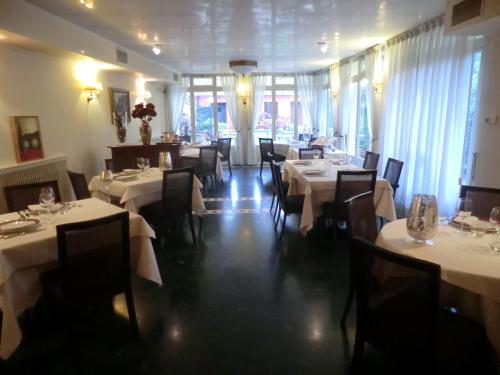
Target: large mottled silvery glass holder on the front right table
422, 222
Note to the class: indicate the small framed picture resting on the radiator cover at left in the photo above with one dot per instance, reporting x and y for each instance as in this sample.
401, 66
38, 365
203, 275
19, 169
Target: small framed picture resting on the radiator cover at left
26, 137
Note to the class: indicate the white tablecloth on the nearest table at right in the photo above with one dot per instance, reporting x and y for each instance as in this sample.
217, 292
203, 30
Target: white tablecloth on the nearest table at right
466, 262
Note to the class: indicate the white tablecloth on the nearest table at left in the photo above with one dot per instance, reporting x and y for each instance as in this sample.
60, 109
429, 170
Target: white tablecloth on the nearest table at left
24, 257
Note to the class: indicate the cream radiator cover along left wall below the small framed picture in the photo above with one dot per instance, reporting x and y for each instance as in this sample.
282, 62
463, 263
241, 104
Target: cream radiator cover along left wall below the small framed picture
49, 169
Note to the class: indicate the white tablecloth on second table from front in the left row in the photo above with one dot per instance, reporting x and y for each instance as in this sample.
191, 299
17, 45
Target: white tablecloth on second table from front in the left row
142, 191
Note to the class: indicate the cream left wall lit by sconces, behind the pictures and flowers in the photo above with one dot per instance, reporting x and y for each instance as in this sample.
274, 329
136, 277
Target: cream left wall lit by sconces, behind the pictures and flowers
35, 84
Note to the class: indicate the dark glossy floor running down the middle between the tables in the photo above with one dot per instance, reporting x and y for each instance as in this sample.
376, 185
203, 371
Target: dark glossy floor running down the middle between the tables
239, 302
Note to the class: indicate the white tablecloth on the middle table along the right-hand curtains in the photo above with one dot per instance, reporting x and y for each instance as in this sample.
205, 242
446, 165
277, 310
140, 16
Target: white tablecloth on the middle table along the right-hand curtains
320, 189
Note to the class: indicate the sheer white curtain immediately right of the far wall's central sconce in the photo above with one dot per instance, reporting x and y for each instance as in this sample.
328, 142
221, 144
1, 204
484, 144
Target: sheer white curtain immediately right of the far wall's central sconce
257, 89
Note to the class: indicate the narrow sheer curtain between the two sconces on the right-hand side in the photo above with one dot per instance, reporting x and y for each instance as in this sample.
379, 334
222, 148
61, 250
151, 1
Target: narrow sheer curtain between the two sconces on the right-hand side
346, 108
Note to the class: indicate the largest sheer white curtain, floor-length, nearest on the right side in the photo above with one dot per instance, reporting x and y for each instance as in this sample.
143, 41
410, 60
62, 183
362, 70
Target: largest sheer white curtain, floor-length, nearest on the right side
425, 111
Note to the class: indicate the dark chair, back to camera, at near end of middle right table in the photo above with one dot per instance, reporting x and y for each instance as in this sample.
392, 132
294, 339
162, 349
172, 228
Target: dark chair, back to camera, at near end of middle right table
349, 184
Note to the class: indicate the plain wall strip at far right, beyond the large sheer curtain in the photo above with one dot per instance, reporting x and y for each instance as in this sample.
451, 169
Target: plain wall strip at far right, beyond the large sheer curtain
487, 138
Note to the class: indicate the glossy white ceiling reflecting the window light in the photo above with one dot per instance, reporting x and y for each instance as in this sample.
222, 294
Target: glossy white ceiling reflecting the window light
201, 36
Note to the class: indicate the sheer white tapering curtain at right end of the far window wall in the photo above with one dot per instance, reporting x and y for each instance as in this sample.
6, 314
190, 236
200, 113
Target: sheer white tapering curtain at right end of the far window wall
312, 96
